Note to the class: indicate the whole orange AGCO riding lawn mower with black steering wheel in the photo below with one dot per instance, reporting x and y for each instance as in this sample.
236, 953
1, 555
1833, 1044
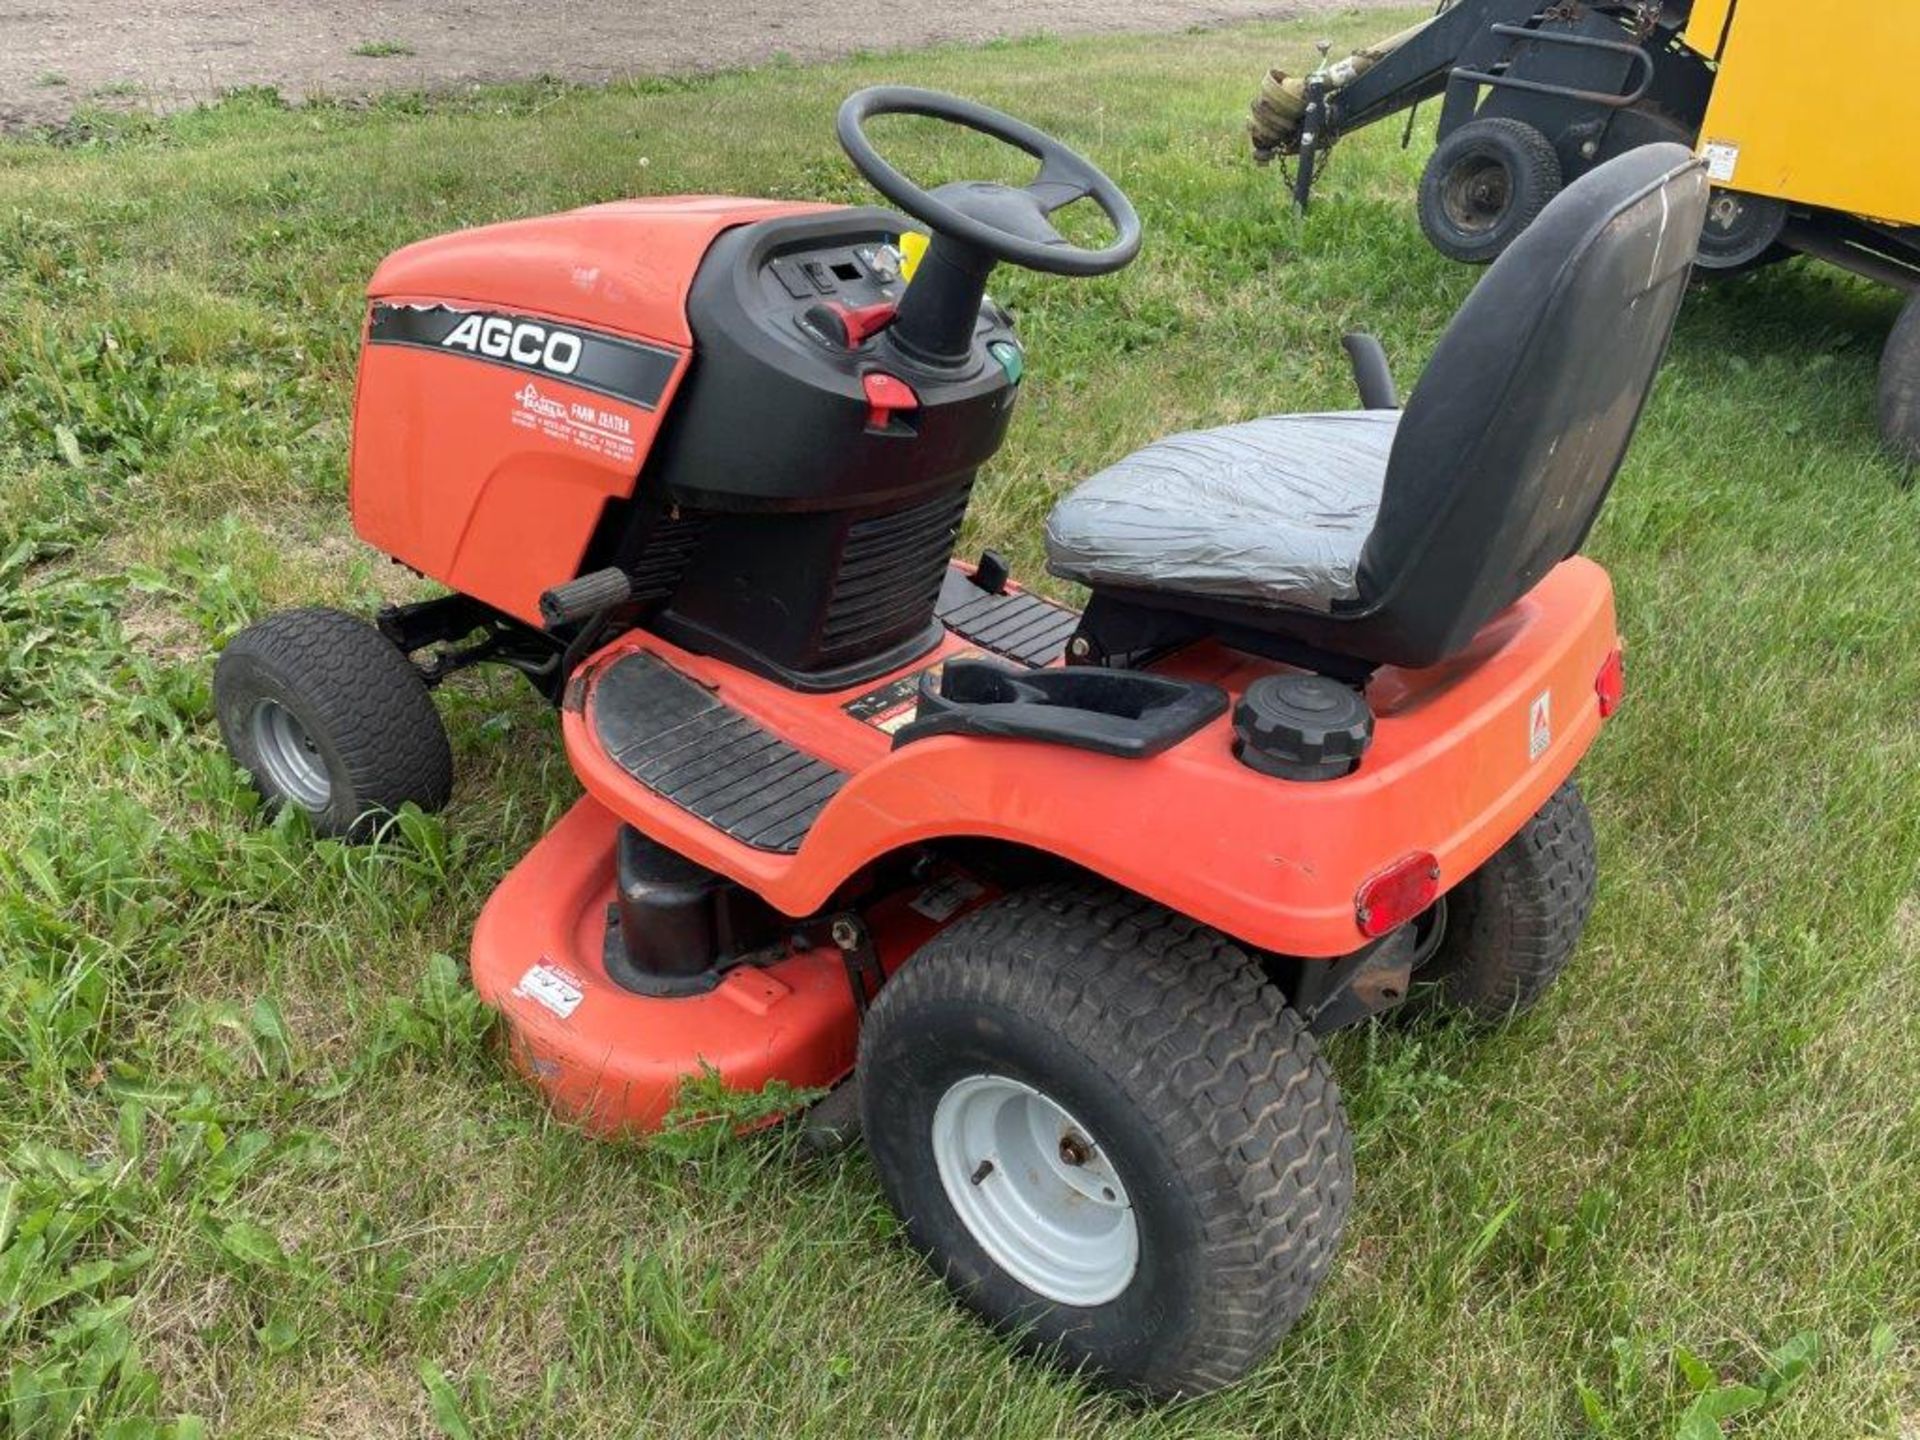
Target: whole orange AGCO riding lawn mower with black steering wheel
1049, 903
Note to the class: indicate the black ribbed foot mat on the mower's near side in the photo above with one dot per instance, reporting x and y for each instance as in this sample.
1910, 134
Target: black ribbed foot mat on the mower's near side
686, 746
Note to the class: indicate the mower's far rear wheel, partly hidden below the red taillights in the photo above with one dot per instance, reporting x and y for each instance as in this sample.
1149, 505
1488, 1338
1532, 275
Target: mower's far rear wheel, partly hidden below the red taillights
1514, 924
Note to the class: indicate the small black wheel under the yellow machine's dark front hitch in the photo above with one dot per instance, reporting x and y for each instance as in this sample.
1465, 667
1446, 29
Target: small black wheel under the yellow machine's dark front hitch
1483, 185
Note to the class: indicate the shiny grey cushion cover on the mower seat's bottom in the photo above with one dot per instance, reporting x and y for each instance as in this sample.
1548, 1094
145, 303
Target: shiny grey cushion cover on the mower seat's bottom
1270, 512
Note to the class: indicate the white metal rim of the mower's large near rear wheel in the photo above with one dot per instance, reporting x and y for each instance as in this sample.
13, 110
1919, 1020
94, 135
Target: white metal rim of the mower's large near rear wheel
1036, 1189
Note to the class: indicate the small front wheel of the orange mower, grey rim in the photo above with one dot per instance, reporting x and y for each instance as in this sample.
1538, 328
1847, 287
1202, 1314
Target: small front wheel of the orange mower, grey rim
325, 713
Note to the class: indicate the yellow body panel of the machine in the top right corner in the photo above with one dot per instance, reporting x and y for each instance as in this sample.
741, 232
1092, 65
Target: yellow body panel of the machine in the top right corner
1815, 116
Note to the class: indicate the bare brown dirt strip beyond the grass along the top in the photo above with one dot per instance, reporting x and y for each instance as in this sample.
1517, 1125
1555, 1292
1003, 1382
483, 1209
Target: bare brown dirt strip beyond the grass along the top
162, 55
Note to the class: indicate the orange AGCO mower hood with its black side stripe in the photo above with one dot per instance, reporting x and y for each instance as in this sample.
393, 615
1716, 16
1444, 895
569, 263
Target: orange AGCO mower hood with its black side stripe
514, 379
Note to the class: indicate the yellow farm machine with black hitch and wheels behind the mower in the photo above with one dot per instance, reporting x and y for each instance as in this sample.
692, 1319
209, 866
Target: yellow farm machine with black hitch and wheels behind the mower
1808, 118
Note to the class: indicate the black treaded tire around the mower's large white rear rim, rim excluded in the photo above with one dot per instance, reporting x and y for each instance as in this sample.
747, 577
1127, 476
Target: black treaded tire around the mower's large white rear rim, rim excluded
1188, 1032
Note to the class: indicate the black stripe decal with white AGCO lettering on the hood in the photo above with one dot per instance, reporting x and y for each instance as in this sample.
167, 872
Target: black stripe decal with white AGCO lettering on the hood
604, 364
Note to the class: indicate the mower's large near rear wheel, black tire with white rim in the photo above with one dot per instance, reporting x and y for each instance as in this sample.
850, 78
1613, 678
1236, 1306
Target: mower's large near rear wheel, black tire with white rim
1109, 1134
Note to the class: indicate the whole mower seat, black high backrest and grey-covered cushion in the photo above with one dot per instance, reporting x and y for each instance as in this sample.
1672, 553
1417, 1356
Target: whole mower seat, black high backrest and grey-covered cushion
1393, 537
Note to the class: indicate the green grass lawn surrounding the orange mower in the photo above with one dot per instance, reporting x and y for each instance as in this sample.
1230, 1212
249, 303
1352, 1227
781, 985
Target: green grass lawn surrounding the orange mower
260, 1157
